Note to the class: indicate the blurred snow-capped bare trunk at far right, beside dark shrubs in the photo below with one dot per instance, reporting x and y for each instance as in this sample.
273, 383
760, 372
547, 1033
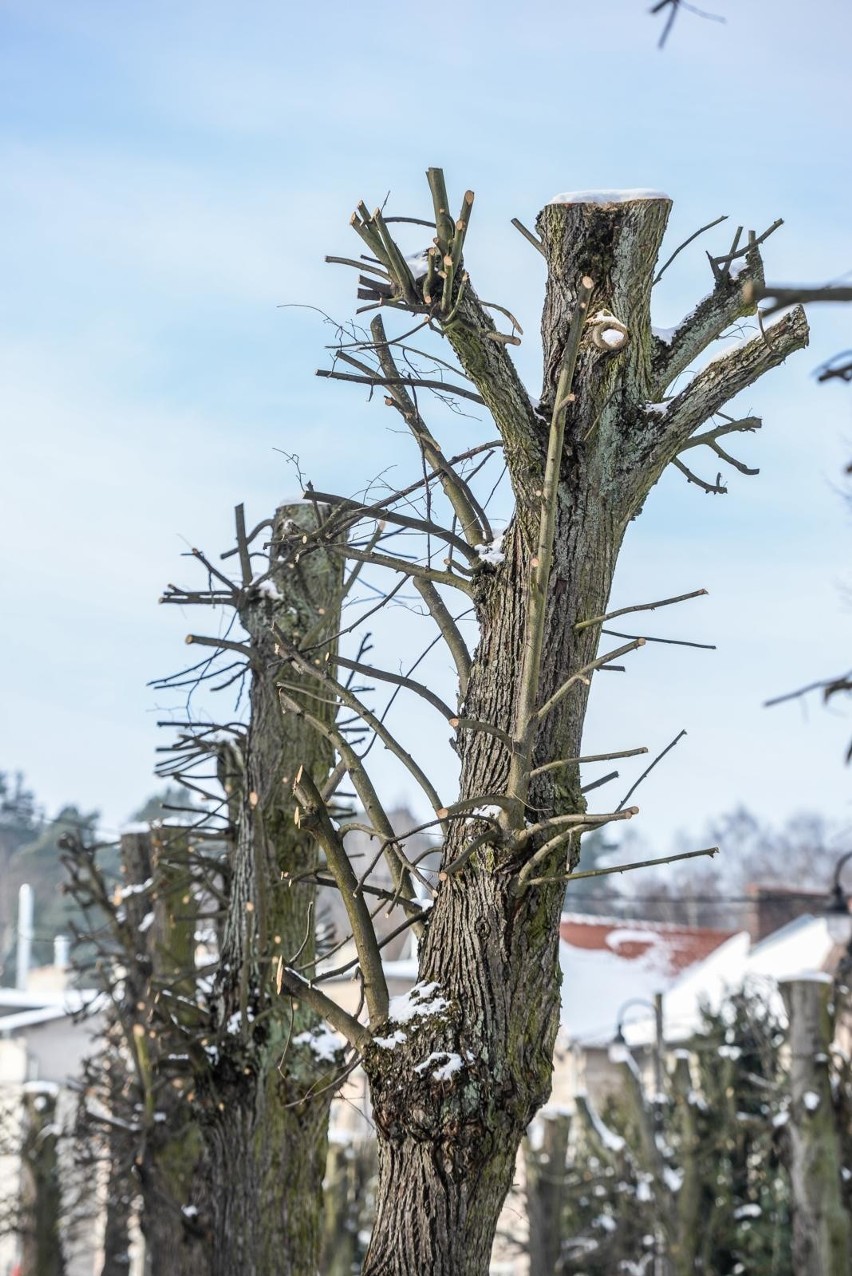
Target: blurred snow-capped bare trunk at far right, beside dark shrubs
822, 1237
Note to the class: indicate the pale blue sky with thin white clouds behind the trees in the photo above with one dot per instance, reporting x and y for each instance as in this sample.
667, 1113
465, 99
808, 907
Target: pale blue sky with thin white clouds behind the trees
173, 173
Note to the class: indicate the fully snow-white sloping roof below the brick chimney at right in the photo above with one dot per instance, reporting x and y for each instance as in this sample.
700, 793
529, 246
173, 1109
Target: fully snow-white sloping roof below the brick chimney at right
803, 947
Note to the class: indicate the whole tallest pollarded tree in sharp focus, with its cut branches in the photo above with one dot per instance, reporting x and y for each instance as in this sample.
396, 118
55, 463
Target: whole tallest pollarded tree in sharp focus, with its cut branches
459, 1069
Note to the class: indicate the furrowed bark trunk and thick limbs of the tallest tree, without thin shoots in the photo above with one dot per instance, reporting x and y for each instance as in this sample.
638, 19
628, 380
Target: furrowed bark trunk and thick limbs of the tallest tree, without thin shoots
448, 1146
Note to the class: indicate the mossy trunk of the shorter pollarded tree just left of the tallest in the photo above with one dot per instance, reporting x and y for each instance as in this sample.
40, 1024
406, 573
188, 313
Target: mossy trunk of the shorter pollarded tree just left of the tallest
270, 1089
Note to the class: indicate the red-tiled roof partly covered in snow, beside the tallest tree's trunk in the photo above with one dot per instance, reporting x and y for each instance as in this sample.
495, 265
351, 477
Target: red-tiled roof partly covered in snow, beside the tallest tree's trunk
609, 961
